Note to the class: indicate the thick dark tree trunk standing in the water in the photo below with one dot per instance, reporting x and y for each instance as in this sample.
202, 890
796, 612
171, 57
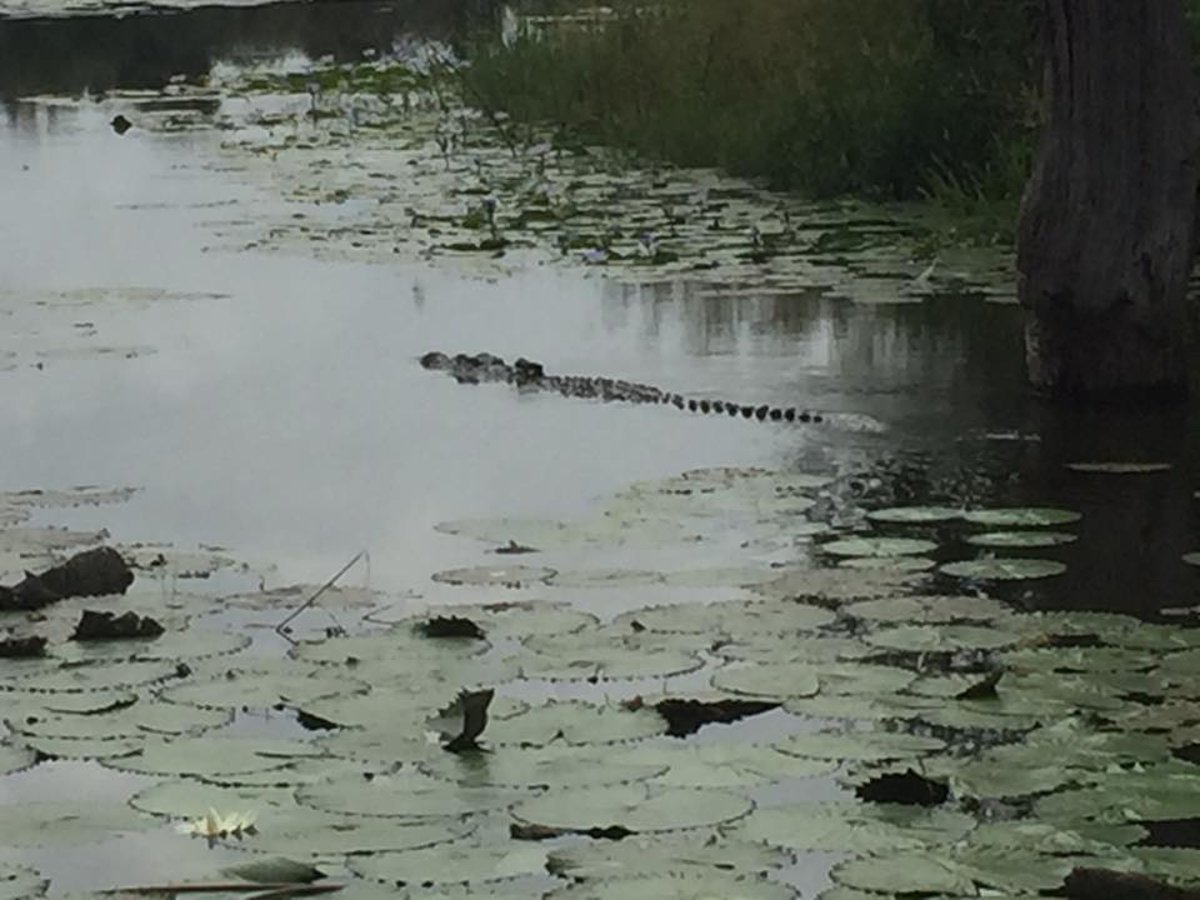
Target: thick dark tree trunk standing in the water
1108, 220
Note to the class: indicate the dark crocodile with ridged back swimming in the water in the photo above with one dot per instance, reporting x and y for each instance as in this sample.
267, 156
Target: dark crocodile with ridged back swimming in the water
530, 376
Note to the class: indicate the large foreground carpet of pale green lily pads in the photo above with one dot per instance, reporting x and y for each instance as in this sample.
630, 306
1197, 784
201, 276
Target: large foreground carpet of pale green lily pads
1053, 740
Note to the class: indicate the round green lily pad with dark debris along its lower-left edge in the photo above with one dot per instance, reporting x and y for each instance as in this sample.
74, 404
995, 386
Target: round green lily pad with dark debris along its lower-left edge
639, 808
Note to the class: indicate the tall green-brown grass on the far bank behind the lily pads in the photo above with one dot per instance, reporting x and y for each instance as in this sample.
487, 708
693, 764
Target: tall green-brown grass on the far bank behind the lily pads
891, 99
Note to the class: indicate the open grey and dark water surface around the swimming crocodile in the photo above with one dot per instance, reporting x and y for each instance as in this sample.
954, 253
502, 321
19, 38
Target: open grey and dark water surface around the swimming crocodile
284, 413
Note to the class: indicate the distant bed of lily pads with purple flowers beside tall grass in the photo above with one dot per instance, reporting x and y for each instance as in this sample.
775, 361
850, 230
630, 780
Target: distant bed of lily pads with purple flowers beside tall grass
385, 160
